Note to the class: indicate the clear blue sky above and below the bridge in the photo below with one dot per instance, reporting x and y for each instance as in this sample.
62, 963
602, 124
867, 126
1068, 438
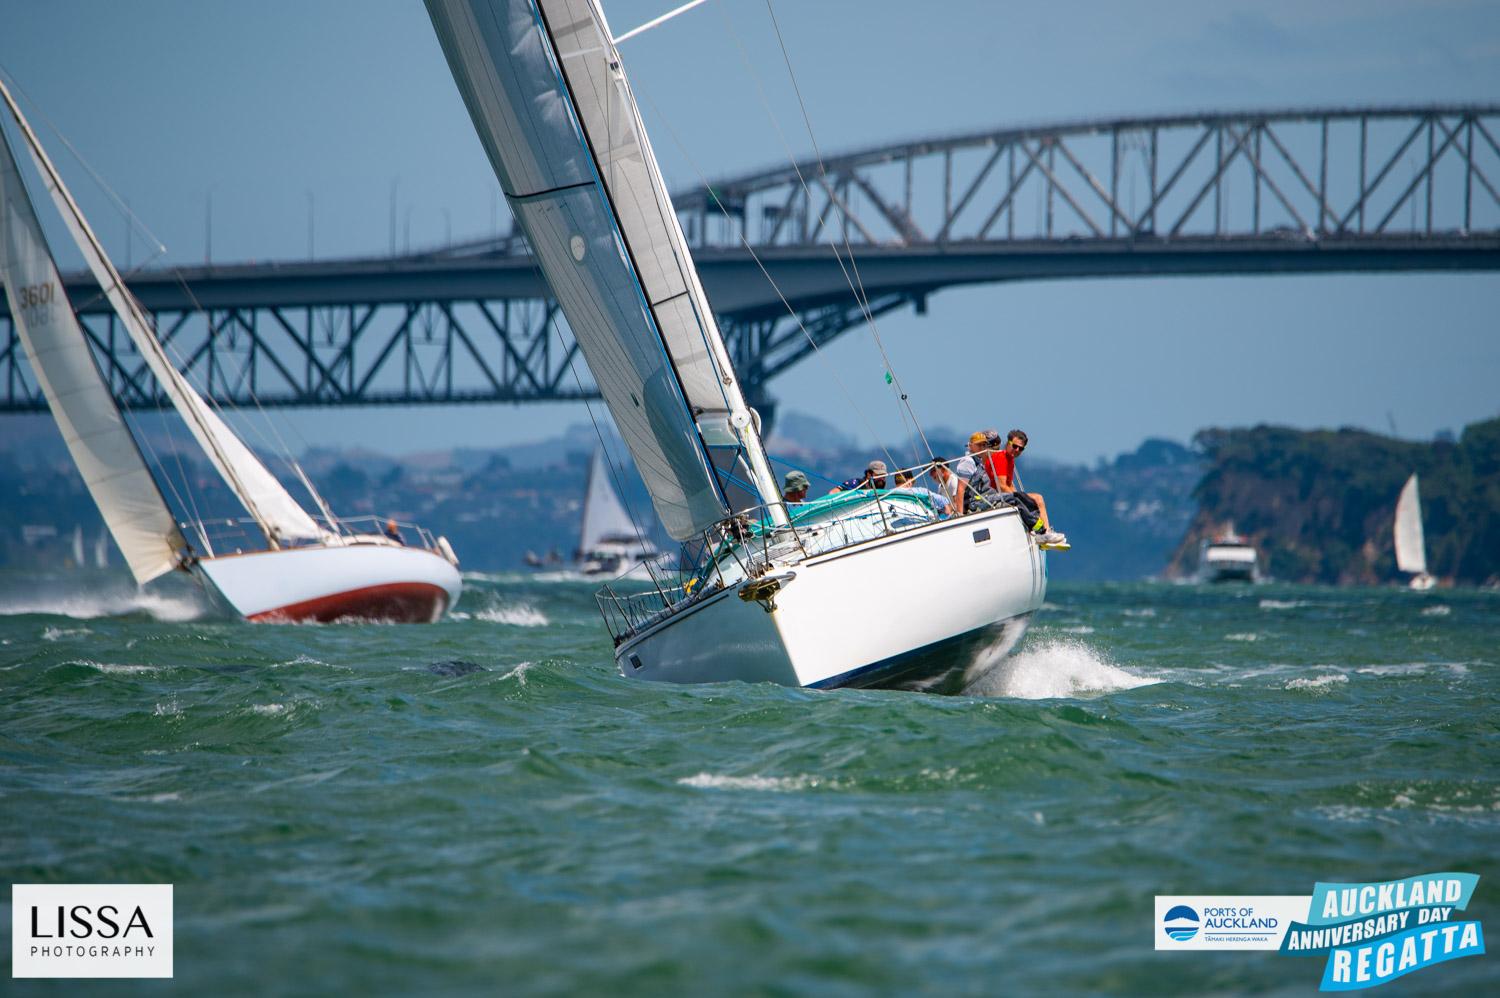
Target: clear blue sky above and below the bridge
271, 107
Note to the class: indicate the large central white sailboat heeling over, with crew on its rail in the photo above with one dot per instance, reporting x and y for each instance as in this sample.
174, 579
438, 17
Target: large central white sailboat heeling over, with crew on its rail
859, 589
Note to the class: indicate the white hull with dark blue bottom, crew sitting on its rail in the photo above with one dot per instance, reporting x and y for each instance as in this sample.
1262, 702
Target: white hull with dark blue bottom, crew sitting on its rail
928, 610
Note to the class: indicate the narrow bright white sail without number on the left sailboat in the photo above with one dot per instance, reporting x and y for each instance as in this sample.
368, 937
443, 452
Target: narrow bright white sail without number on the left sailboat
254, 485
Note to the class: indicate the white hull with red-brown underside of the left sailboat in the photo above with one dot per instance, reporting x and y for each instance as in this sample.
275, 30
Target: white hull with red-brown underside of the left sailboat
326, 585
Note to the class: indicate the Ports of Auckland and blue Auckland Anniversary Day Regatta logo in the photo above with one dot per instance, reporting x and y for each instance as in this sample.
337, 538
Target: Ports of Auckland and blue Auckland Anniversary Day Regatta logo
1369, 934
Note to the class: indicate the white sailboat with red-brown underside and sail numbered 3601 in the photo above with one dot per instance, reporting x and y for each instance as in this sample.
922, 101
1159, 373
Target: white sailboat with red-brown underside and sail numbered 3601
308, 571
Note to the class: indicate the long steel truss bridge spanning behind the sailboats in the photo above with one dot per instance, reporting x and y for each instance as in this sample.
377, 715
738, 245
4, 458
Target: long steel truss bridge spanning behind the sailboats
1312, 191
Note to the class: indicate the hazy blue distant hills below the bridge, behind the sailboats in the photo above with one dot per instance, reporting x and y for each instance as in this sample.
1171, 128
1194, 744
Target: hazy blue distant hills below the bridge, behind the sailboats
1124, 517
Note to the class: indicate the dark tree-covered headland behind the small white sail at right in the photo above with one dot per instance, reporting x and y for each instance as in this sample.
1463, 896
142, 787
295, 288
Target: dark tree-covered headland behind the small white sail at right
1321, 505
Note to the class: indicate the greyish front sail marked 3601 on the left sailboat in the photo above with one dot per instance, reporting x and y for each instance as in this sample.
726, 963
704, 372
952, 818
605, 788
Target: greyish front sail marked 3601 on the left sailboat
86, 413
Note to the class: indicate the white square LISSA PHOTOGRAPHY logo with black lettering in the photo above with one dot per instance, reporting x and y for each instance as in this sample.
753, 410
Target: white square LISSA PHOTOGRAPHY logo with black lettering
91, 930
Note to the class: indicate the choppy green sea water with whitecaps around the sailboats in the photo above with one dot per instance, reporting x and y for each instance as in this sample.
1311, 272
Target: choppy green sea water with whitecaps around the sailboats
356, 810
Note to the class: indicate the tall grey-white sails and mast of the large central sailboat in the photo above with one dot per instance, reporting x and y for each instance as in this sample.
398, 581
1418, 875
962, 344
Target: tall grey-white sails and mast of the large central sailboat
550, 100
